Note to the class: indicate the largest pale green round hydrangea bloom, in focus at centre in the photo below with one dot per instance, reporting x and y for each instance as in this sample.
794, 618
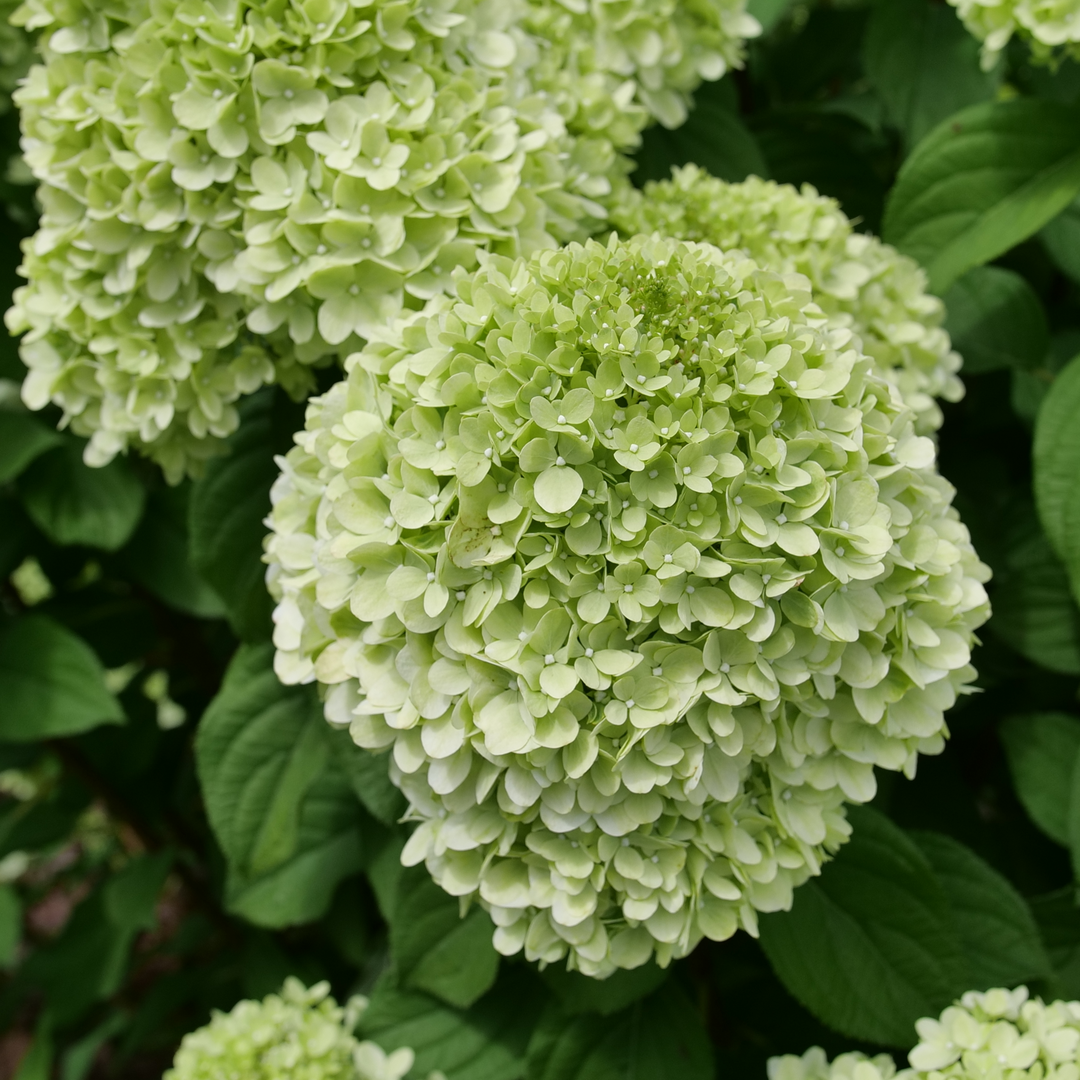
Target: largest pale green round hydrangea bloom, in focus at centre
640, 569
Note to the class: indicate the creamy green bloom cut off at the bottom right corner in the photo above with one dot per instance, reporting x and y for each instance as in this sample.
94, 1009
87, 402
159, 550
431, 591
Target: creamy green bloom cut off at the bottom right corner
985, 1036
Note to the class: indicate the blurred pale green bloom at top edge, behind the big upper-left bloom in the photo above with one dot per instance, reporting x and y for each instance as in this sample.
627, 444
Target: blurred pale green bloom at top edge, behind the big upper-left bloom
614, 67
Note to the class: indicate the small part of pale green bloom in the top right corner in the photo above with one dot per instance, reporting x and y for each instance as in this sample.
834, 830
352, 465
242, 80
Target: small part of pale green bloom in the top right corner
1051, 28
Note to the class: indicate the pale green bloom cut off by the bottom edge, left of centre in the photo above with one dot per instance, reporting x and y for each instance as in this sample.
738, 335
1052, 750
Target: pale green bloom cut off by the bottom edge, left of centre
302, 1034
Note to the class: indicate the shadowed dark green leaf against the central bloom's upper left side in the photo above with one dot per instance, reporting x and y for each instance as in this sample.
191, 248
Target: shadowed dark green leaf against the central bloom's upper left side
227, 509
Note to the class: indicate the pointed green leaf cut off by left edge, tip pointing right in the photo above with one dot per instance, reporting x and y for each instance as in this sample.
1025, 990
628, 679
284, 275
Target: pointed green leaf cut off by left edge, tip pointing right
51, 683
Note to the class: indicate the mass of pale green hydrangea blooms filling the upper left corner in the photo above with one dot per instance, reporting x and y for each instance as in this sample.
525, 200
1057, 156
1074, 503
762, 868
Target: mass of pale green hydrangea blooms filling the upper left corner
234, 192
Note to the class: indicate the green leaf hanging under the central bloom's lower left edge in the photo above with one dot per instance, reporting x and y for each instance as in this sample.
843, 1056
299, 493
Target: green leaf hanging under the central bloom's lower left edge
436, 950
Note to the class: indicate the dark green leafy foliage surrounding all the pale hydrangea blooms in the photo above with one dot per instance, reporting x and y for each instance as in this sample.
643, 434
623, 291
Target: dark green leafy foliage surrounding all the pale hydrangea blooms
179, 831
